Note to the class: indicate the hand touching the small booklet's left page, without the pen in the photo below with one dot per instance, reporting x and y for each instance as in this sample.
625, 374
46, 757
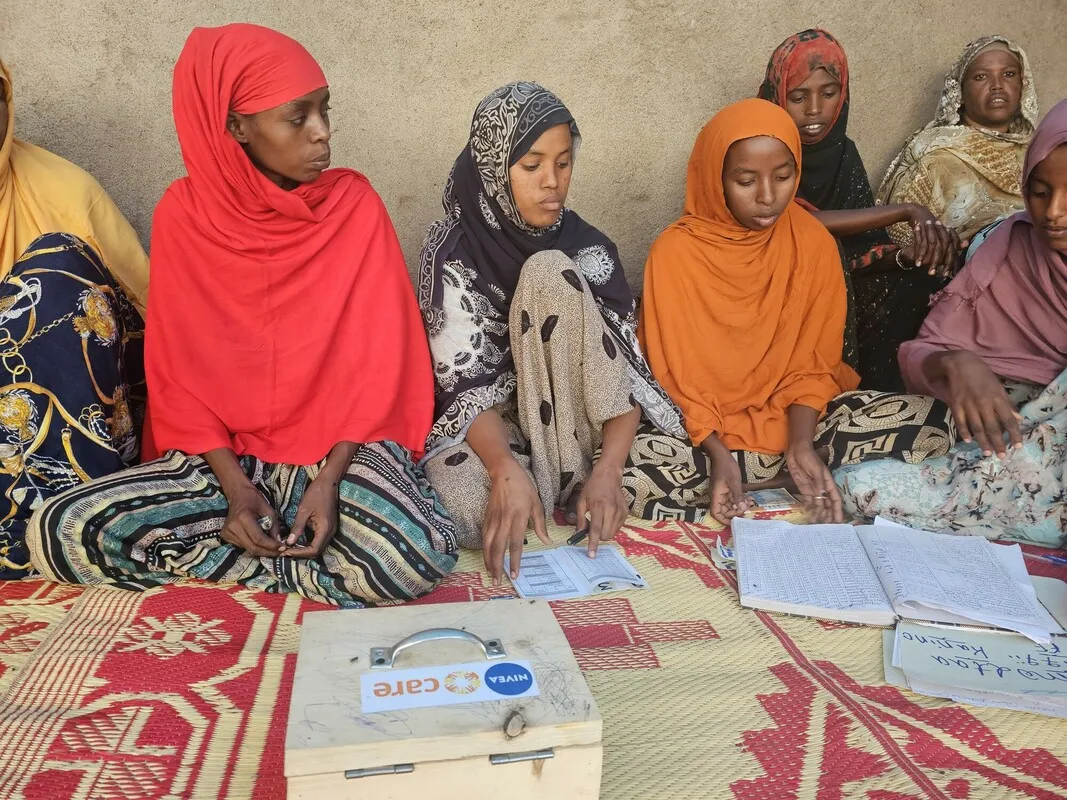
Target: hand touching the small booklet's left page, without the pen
514, 502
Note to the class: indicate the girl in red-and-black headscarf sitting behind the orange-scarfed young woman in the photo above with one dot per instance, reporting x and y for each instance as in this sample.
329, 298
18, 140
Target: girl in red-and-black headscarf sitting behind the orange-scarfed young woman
808, 76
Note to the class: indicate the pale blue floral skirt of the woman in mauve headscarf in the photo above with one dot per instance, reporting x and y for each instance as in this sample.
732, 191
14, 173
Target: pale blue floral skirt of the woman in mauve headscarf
1024, 498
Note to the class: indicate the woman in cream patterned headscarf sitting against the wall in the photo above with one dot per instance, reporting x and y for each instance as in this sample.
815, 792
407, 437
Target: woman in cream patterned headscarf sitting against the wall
965, 165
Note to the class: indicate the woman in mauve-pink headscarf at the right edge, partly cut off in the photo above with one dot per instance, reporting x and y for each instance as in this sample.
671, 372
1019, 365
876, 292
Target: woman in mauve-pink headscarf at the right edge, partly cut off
995, 348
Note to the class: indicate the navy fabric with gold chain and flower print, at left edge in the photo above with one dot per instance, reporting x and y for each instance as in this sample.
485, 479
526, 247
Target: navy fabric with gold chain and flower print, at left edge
72, 382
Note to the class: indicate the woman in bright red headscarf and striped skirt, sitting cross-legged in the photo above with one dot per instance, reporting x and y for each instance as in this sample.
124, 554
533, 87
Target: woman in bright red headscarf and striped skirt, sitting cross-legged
289, 375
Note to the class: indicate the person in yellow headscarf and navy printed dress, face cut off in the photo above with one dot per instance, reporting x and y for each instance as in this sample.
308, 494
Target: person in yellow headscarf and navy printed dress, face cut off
74, 283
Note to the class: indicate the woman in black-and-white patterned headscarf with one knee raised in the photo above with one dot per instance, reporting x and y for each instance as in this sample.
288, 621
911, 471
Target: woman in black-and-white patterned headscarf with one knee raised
532, 328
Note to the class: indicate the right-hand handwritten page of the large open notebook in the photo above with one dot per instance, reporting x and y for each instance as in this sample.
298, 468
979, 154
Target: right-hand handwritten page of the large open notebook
954, 579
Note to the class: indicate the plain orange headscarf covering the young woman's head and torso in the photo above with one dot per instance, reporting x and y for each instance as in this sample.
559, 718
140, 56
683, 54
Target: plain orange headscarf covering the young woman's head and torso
740, 325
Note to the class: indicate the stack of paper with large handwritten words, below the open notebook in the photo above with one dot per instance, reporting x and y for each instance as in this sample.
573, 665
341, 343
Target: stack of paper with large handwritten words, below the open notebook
988, 668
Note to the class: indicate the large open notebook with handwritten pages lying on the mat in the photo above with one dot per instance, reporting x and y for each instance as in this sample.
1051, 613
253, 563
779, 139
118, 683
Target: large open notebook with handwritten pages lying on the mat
873, 575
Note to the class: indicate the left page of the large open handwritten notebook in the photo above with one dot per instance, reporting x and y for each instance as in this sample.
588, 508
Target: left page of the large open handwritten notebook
814, 566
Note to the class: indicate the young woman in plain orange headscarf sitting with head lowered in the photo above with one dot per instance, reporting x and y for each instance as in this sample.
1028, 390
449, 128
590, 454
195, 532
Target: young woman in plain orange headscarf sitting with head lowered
743, 322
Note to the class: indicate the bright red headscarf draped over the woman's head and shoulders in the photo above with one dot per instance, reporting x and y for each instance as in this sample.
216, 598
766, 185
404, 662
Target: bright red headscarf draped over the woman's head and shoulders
280, 324
